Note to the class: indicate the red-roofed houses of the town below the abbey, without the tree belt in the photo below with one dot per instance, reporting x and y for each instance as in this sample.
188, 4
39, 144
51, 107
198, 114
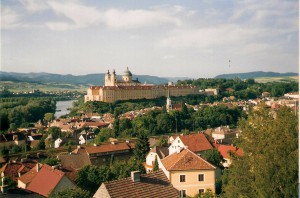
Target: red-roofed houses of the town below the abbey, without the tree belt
176, 164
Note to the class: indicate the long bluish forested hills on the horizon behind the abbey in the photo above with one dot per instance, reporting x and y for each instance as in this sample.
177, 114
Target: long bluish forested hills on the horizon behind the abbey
89, 79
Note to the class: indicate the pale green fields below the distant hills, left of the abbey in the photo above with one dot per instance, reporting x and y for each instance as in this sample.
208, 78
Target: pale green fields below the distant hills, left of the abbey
45, 87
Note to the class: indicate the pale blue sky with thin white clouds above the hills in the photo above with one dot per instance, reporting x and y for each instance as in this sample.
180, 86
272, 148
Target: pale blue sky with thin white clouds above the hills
196, 39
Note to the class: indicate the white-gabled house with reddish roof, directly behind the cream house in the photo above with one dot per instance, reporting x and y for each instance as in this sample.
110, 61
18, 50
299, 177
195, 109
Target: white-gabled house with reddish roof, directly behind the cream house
196, 143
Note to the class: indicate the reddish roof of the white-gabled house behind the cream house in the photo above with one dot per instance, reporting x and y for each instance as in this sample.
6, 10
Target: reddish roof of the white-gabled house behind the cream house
196, 142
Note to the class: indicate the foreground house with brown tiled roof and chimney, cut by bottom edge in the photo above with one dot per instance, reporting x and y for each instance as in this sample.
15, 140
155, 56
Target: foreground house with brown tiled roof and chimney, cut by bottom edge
145, 185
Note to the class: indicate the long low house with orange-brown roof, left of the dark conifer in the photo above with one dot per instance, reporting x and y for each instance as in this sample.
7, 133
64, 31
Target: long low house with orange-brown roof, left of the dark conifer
102, 154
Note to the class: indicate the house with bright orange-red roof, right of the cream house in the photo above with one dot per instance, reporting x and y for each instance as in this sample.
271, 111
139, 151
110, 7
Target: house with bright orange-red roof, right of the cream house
226, 151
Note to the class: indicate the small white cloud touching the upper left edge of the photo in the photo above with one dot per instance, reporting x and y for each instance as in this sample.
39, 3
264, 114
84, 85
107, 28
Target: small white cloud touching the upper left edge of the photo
9, 18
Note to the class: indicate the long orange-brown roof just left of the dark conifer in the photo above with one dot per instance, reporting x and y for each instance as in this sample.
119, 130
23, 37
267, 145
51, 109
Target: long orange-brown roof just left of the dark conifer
104, 148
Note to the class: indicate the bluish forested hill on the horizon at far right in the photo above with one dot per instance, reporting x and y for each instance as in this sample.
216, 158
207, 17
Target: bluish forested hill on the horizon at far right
256, 74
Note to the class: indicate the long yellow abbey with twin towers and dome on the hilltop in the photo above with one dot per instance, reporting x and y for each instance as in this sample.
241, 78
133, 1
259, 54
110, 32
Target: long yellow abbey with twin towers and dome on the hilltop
127, 89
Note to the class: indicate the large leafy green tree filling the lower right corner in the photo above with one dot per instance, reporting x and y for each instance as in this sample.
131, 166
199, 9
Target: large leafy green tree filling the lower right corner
270, 168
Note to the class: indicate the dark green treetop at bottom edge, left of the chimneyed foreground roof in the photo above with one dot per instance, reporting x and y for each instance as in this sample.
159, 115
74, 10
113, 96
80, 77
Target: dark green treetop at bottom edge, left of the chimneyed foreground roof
70, 192
